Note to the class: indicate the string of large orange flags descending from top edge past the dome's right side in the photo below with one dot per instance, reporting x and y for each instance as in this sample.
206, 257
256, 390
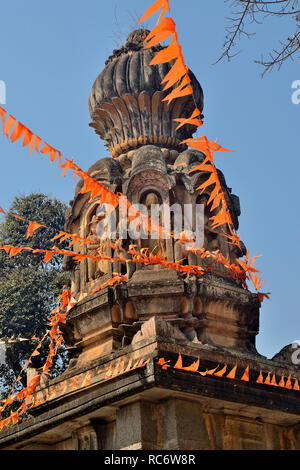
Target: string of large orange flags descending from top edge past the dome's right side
179, 76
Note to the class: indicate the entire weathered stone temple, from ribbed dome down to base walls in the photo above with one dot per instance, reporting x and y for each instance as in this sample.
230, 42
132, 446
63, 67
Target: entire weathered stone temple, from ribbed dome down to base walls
166, 358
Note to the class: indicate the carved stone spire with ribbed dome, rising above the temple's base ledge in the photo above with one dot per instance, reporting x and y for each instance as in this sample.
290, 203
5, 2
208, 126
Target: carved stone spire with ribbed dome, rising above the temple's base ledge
150, 166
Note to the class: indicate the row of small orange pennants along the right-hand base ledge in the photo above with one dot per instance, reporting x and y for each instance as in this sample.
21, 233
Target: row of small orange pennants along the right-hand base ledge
265, 378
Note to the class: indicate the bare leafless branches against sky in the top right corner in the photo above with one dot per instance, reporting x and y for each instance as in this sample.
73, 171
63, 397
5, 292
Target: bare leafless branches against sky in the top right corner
246, 12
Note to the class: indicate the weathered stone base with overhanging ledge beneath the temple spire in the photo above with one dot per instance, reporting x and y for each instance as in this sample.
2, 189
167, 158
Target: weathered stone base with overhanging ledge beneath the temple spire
153, 408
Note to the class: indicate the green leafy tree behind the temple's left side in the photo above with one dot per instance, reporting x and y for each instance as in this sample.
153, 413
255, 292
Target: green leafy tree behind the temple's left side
28, 287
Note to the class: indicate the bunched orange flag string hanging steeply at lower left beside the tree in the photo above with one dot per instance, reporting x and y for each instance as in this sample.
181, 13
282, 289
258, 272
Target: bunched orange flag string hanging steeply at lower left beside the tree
57, 316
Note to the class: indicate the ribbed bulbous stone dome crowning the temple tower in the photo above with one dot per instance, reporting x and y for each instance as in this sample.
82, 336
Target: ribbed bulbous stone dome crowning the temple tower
126, 101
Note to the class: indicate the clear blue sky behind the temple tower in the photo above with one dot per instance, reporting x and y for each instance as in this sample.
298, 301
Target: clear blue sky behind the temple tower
52, 52
